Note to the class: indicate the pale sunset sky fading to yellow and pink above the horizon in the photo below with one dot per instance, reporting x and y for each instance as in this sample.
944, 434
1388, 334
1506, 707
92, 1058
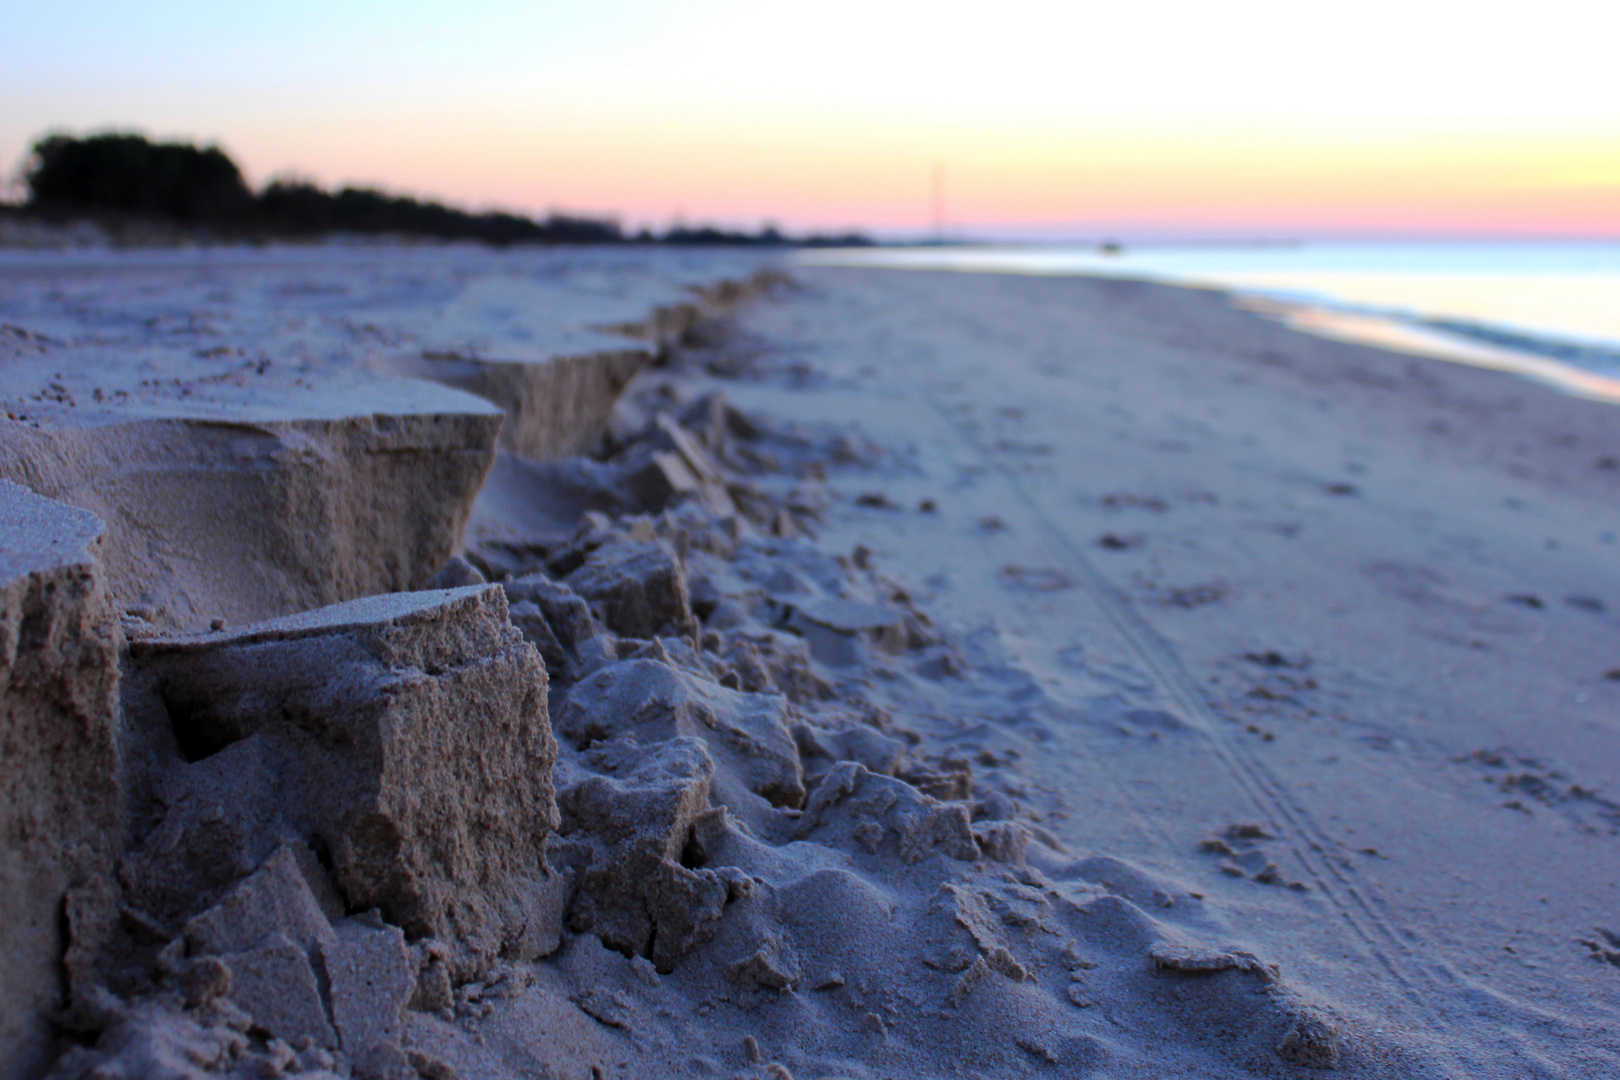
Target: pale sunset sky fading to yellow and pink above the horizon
1047, 121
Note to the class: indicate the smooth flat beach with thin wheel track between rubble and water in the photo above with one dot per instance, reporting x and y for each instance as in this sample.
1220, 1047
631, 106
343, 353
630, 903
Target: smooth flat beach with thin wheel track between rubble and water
1357, 598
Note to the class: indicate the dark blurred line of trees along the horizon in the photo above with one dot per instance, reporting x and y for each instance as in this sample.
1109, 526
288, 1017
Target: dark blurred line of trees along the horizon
198, 187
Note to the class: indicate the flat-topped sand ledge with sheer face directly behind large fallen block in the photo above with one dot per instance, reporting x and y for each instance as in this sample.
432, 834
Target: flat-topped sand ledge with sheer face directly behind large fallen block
255, 504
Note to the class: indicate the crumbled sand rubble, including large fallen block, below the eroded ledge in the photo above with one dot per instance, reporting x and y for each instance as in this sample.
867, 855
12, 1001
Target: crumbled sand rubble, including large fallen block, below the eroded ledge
654, 781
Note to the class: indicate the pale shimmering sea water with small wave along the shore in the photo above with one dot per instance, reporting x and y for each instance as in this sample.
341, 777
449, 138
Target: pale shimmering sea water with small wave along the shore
1550, 312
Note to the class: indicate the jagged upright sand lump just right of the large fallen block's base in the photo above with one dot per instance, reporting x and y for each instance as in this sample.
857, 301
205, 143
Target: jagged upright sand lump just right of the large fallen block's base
634, 893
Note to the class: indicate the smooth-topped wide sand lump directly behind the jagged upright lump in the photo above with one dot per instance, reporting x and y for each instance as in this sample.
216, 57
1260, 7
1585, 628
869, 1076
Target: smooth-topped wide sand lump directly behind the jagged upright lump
749, 734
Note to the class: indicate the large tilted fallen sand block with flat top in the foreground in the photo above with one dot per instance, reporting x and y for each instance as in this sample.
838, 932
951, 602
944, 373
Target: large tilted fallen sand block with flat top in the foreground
404, 736
